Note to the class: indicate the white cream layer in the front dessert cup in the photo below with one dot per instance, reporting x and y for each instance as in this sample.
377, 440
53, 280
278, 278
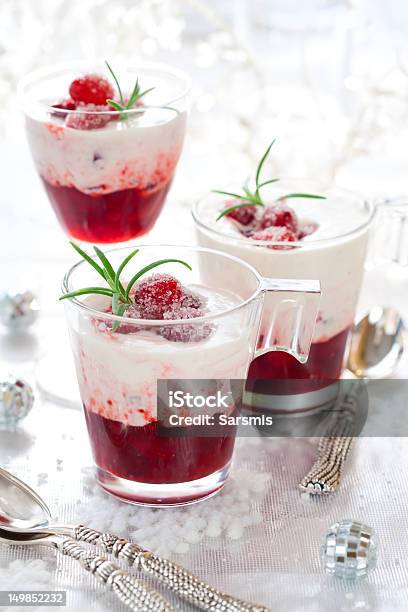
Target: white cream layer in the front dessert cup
118, 373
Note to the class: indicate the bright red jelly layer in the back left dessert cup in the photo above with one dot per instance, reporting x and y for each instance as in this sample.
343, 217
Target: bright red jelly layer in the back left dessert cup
111, 217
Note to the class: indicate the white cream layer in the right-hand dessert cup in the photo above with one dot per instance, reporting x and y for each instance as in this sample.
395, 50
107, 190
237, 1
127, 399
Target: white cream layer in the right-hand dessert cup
338, 263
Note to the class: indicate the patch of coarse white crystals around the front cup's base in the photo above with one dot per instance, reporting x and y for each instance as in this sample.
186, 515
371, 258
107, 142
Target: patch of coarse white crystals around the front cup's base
176, 530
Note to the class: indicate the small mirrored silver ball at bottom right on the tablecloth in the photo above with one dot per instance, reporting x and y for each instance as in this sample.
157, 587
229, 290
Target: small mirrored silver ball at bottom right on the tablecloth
349, 550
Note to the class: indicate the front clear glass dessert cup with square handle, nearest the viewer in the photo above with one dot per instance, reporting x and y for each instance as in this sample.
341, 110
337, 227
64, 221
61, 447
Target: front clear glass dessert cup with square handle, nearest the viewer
118, 371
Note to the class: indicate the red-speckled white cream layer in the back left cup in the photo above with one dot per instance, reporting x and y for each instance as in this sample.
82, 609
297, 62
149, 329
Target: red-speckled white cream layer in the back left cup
122, 155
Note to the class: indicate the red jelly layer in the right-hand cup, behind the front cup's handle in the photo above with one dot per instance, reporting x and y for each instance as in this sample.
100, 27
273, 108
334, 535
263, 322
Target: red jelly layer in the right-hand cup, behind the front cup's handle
324, 365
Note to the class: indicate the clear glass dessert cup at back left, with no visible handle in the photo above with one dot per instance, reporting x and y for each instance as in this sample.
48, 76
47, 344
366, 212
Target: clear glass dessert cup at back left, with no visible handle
106, 174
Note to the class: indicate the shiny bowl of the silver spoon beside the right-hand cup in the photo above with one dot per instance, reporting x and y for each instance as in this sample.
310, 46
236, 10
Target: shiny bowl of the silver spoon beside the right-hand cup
377, 343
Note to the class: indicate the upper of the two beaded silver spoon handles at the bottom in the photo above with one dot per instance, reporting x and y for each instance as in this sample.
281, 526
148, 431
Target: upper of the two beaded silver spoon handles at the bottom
173, 576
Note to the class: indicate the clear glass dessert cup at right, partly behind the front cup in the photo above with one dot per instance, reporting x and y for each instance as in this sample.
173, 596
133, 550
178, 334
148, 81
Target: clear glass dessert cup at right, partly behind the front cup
334, 254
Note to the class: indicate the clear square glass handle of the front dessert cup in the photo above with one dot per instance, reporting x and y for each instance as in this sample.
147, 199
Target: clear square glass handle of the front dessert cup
292, 320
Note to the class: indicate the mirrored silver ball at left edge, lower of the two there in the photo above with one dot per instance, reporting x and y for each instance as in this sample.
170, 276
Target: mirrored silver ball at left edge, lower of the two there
16, 401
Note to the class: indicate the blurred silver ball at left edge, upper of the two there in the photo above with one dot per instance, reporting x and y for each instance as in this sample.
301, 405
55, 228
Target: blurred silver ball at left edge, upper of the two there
18, 311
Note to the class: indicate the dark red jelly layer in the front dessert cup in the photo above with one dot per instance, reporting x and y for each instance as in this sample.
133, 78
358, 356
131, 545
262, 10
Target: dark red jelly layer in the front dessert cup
143, 455
